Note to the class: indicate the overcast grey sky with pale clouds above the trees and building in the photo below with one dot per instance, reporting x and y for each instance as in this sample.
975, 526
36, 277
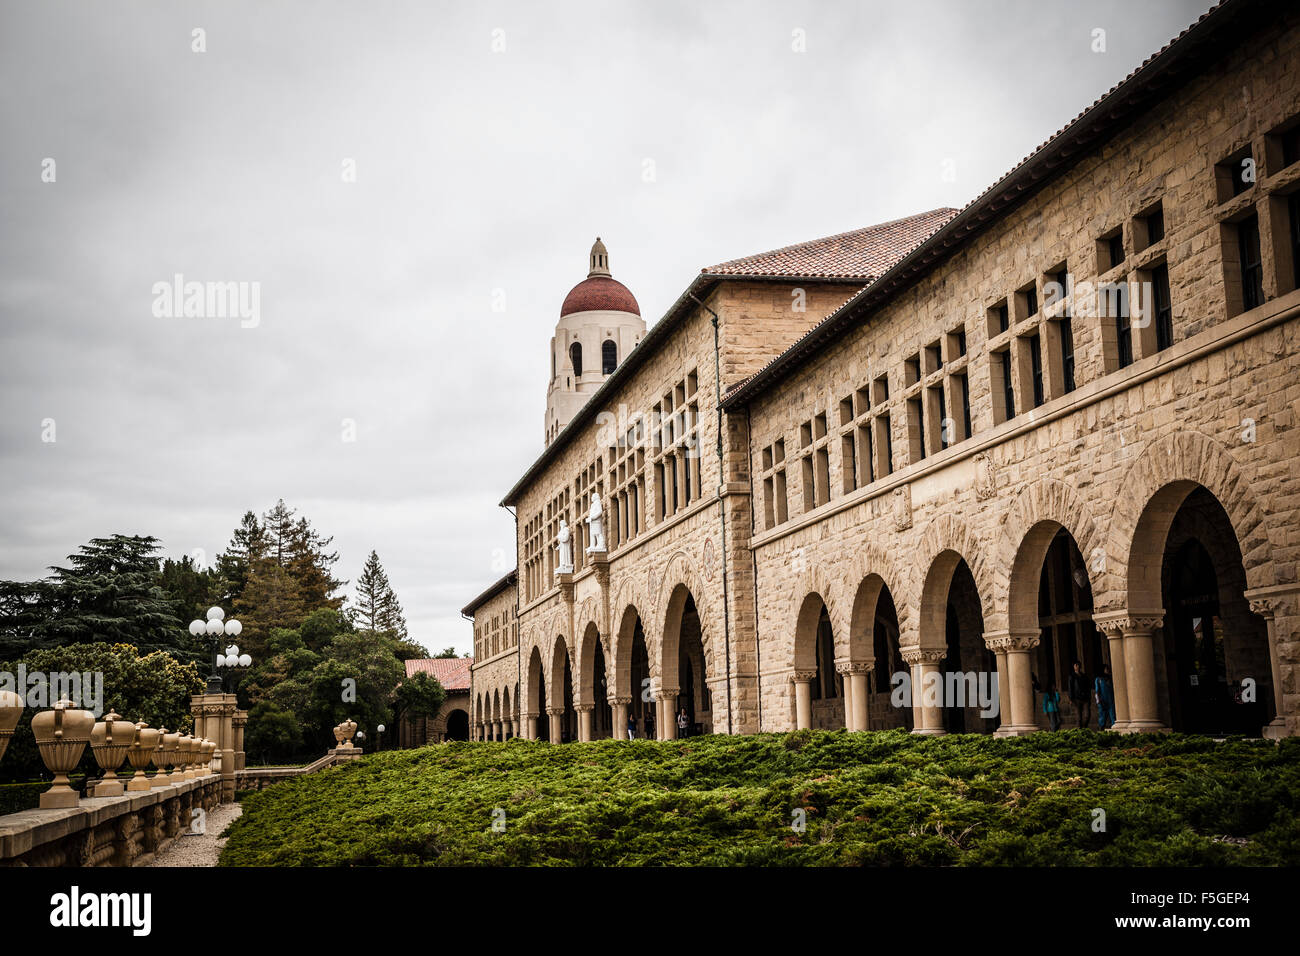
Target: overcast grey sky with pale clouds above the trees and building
491, 144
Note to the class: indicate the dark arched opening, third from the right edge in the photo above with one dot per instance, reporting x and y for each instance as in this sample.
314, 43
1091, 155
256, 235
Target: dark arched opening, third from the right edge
952, 624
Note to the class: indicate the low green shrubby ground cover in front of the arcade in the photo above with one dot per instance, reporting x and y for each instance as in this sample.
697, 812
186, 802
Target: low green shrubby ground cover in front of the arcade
886, 798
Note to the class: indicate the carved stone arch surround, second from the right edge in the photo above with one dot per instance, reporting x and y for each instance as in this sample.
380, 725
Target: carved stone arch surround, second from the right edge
1029, 530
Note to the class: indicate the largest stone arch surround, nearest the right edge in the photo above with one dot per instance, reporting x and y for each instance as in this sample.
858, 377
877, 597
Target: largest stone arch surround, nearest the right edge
1151, 494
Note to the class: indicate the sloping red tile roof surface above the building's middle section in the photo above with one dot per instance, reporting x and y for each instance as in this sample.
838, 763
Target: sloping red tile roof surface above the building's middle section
860, 254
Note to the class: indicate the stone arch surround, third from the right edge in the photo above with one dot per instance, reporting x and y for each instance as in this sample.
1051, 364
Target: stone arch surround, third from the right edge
946, 544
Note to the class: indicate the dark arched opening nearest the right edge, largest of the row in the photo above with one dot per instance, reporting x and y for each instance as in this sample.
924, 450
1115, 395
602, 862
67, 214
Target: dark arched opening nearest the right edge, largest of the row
1214, 673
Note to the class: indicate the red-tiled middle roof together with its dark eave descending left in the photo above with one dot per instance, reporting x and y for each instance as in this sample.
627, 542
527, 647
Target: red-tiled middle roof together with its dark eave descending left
844, 258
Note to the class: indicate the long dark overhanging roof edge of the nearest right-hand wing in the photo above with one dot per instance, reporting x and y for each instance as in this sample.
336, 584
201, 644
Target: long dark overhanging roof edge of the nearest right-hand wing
1184, 57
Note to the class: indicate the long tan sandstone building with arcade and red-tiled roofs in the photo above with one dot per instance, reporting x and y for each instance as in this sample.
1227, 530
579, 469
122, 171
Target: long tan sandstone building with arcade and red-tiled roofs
955, 455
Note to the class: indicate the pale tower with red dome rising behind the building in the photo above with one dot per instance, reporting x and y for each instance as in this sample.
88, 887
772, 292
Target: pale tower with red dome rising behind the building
600, 325
